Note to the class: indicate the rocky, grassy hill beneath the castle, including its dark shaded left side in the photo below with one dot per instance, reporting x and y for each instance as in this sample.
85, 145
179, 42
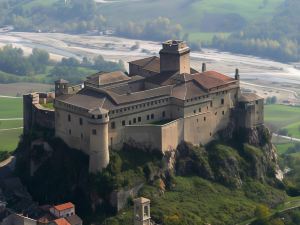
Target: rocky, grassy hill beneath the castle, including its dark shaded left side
229, 178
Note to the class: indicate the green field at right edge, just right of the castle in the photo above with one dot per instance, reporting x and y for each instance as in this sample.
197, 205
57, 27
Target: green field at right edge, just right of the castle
281, 116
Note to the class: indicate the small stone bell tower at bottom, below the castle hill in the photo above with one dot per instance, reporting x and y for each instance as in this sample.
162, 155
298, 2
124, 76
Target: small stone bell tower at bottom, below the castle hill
142, 211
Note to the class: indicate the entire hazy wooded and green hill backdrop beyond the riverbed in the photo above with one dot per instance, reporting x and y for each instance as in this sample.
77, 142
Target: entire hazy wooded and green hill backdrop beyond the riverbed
267, 28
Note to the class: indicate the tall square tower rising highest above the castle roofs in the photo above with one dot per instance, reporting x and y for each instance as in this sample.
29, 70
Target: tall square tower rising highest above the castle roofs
175, 56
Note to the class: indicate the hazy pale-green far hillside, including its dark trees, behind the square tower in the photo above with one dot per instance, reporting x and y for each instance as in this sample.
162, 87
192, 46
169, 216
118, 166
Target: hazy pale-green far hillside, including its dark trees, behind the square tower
201, 19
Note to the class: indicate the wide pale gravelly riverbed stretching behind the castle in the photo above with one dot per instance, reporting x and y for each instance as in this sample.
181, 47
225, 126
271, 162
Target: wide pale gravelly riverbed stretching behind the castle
115, 48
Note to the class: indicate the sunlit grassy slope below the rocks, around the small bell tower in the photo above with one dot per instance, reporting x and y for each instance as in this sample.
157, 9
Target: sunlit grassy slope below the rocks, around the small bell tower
201, 201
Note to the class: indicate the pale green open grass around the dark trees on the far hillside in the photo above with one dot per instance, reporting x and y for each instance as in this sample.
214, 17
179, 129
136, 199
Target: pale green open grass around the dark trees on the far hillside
188, 13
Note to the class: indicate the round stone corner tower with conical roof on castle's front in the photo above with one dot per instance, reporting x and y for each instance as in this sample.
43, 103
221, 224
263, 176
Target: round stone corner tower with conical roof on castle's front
98, 152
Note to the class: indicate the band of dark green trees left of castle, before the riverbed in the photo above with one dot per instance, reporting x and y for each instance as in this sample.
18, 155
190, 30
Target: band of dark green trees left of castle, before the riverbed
13, 62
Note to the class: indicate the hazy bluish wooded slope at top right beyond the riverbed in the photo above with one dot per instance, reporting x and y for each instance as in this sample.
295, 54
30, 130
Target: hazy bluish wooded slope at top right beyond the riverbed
277, 39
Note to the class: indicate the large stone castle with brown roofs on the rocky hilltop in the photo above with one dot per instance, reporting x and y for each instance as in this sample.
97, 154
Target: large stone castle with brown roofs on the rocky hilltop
160, 103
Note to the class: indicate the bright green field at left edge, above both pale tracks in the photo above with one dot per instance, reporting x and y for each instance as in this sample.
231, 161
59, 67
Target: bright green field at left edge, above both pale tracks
11, 108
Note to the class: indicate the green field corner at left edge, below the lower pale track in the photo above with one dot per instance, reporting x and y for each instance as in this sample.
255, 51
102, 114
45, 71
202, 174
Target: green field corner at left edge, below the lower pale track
9, 139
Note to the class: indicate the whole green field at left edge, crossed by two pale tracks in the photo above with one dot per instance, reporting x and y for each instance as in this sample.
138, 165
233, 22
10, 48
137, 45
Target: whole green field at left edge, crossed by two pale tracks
11, 109
